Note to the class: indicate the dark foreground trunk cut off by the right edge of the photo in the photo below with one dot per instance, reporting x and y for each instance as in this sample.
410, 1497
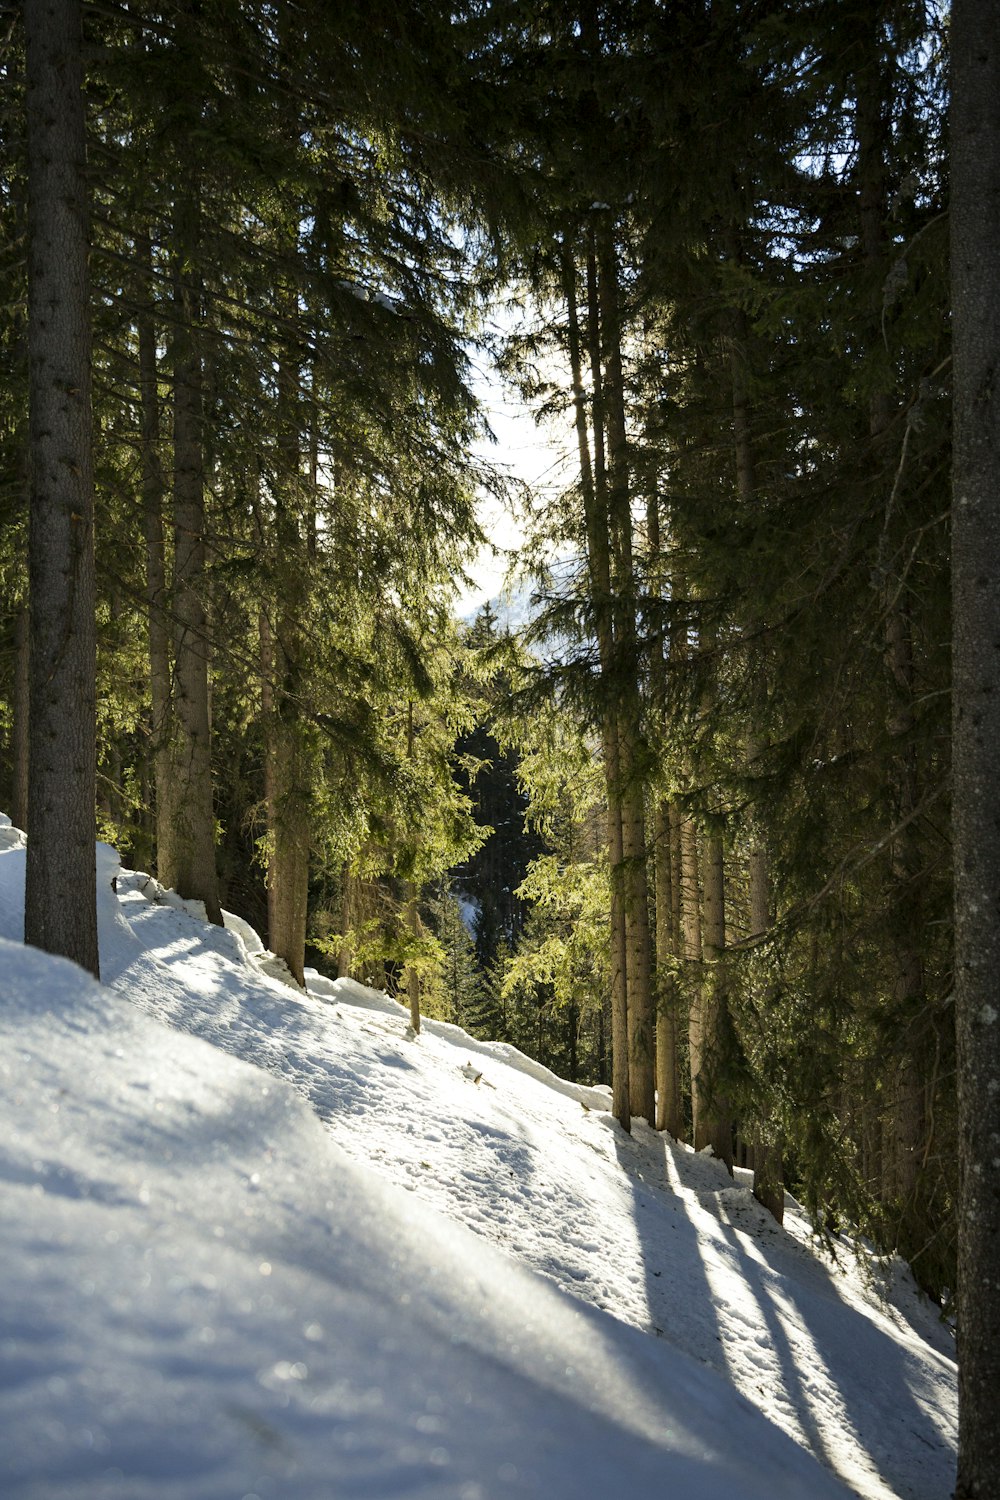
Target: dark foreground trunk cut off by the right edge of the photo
977, 725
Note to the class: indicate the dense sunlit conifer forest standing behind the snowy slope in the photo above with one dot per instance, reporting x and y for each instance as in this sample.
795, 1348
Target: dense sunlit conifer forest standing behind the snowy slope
689, 832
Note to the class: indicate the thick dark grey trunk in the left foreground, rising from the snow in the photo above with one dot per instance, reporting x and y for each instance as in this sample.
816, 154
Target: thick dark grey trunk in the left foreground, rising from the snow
61, 880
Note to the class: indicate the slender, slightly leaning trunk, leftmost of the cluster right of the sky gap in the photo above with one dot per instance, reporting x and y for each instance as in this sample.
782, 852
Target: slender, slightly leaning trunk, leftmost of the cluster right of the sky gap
600, 575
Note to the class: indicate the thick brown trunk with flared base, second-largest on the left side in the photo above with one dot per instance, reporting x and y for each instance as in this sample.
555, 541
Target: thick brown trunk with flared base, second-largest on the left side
187, 845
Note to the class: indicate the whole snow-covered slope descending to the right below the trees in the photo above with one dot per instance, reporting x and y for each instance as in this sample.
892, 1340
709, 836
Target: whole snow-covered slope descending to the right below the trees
260, 1243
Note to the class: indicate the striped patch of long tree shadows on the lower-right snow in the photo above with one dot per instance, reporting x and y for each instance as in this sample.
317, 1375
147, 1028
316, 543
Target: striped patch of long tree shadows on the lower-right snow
722, 1273
